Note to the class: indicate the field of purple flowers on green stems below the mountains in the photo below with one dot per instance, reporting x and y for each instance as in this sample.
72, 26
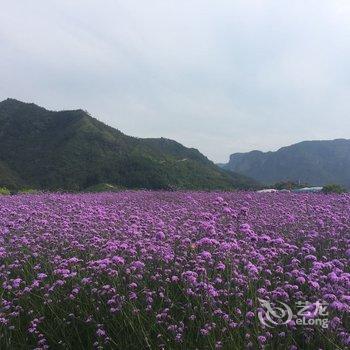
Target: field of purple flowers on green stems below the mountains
174, 270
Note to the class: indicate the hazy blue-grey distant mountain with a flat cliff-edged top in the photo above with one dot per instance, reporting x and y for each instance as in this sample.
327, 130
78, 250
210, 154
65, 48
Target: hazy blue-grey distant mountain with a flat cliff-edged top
313, 162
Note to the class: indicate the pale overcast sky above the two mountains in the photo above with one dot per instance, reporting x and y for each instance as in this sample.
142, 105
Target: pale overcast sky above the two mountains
221, 76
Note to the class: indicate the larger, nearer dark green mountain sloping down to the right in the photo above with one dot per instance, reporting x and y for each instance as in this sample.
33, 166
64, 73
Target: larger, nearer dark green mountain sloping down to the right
70, 150
